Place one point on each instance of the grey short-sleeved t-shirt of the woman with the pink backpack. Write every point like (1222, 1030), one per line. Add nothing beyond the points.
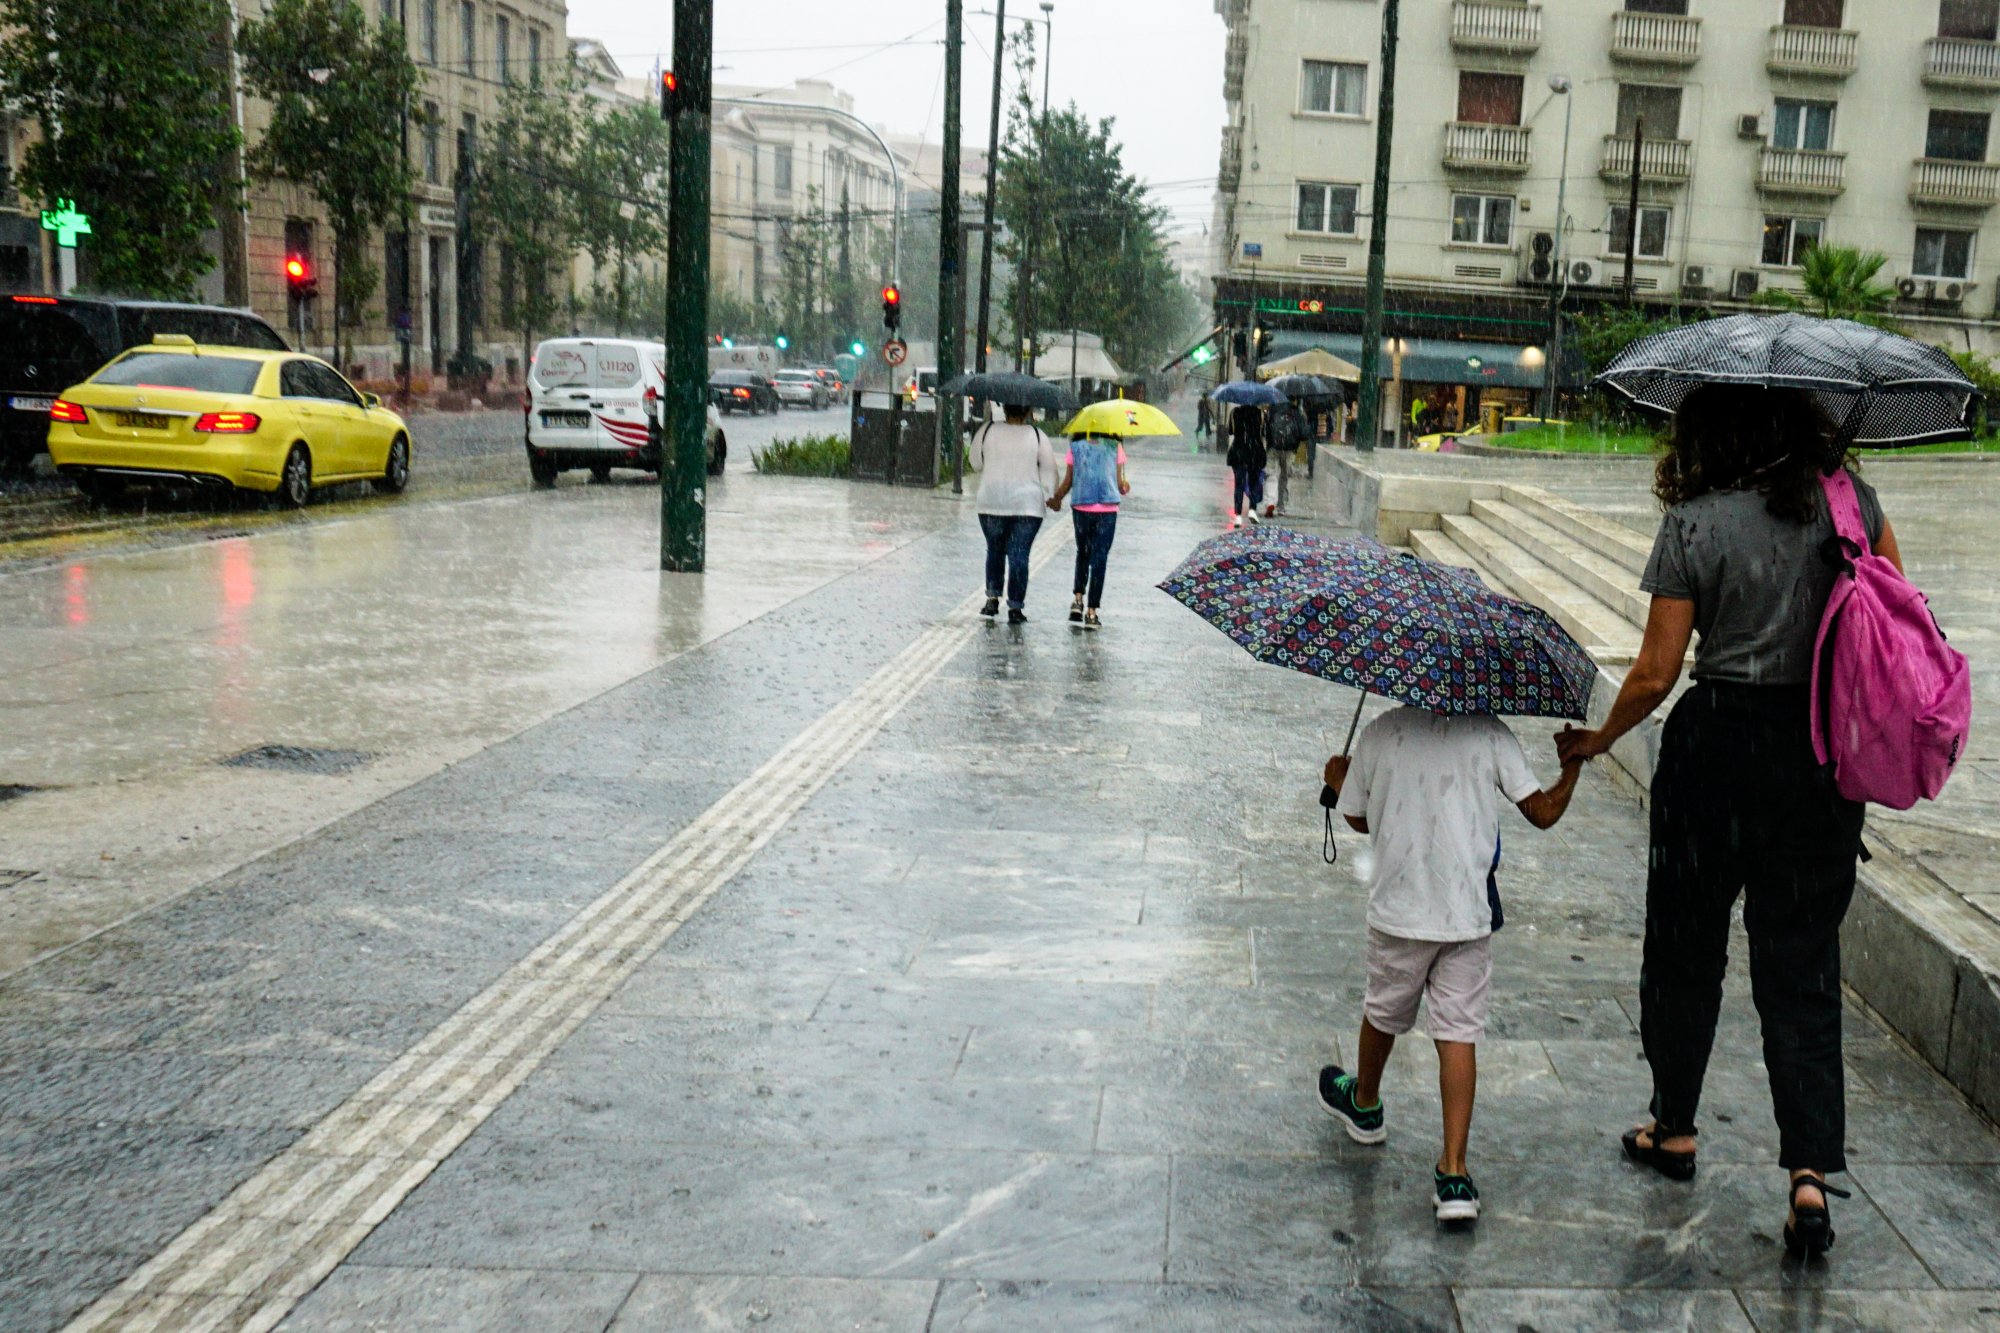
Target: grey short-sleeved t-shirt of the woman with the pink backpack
(1759, 583)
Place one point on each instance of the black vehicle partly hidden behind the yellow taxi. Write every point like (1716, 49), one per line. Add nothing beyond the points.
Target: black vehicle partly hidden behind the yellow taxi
(49, 343)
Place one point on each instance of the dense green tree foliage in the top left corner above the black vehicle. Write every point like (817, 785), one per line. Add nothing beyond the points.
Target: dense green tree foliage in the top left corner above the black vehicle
(133, 99)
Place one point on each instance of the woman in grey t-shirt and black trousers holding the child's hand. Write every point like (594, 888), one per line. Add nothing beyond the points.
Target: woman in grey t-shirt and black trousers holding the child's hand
(1739, 800)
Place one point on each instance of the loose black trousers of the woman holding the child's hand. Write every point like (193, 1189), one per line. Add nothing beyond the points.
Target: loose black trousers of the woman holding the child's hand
(1739, 806)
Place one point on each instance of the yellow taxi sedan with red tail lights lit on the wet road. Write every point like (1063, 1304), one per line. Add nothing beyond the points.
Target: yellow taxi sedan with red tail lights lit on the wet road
(179, 413)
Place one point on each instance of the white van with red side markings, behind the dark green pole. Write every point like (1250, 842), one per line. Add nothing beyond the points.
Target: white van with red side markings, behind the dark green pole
(595, 403)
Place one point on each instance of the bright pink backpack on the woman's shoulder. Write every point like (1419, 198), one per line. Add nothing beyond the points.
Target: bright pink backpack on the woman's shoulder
(1891, 700)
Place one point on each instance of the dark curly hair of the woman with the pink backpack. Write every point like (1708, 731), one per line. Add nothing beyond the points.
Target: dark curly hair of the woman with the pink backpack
(1741, 437)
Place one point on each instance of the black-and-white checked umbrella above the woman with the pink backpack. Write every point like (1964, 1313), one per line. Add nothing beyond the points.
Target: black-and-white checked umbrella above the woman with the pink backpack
(1877, 387)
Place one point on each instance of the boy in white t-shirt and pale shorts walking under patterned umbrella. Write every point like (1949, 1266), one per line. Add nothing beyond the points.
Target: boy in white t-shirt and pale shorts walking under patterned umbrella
(1425, 790)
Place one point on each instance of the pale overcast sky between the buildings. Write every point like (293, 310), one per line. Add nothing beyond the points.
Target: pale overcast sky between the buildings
(1155, 65)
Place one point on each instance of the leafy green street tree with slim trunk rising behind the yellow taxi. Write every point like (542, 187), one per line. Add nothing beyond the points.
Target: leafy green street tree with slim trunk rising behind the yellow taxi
(339, 93)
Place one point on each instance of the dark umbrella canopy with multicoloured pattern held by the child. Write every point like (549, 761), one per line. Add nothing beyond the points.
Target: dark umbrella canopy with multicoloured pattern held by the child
(1427, 635)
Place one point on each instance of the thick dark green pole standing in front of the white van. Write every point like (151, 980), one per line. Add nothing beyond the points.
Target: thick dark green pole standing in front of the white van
(685, 447)
